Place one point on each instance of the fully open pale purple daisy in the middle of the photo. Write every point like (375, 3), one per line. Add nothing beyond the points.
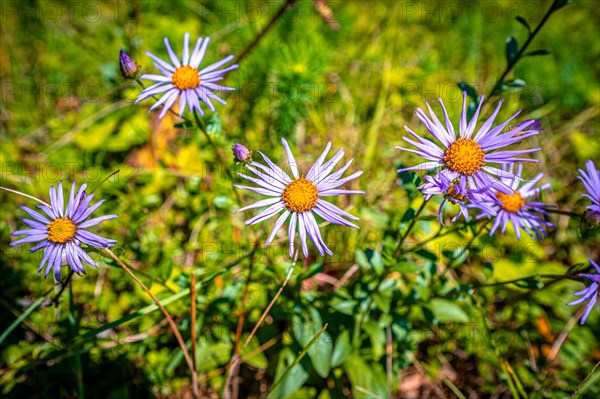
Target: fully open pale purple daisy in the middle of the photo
(300, 197)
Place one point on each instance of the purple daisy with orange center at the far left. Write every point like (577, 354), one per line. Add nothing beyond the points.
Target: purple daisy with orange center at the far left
(61, 231)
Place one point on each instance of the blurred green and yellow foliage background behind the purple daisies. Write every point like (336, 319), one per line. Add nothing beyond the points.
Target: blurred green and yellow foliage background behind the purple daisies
(352, 73)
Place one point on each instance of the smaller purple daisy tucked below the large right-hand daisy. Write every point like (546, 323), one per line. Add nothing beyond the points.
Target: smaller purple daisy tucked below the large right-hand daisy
(529, 216)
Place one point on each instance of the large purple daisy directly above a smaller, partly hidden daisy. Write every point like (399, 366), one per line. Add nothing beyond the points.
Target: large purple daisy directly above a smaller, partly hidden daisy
(468, 156)
